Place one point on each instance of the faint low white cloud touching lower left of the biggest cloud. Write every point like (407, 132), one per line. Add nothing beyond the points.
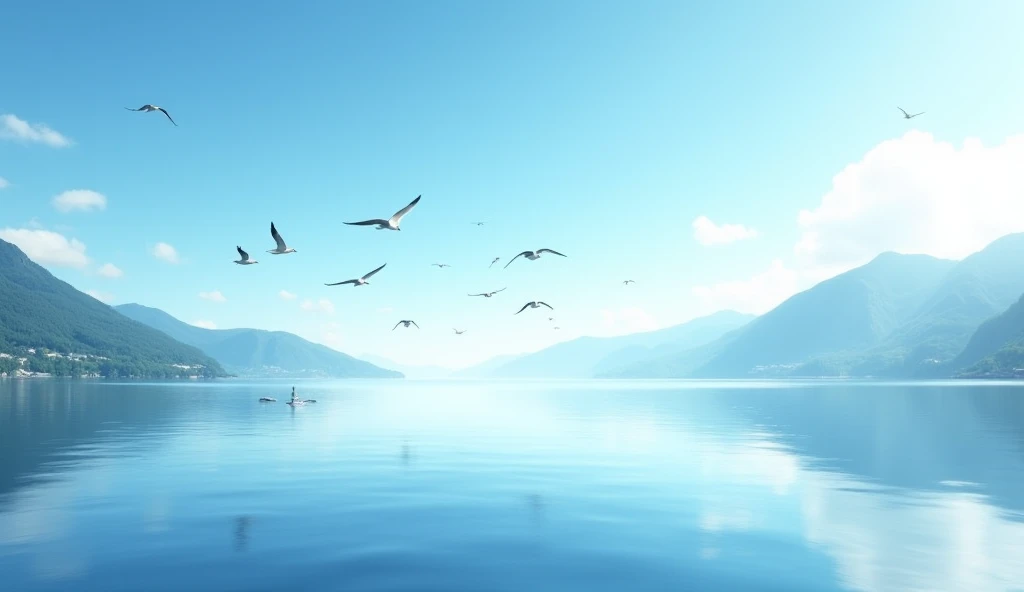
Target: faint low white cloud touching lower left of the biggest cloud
(759, 294)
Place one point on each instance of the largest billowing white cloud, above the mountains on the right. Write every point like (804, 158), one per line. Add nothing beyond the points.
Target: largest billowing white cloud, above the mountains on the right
(917, 195)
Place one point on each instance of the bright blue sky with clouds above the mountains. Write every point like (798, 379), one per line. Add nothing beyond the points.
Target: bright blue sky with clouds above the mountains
(601, 130)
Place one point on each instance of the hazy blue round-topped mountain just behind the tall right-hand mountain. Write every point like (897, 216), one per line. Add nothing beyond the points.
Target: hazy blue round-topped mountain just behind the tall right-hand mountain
(847, 314)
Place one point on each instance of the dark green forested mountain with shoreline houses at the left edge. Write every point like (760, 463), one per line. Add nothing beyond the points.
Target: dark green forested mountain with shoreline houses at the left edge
(63, 331)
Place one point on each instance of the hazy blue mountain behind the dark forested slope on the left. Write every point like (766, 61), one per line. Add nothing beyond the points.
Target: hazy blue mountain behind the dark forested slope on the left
(258, 353)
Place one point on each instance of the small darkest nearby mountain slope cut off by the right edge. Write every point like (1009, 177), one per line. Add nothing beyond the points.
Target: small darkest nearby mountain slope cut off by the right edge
(997, 349)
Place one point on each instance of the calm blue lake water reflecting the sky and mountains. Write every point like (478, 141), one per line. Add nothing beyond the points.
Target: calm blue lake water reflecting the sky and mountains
(587, 486)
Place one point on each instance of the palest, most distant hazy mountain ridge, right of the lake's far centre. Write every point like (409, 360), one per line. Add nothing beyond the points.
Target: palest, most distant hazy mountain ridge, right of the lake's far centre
(589, 357)
